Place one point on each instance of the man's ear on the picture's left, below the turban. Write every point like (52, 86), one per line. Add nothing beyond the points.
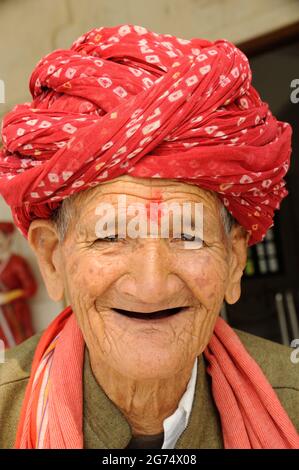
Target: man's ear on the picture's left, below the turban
(43, 239)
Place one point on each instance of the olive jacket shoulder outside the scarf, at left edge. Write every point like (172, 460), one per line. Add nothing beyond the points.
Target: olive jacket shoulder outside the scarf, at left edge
(14, 375)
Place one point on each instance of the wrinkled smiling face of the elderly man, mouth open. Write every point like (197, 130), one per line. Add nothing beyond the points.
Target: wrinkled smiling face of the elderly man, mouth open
(145, 275)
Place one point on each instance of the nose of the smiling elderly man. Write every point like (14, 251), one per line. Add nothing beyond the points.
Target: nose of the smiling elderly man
(150, 278)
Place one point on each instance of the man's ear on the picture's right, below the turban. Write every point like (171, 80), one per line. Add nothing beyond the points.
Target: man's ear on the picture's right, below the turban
(237, 263)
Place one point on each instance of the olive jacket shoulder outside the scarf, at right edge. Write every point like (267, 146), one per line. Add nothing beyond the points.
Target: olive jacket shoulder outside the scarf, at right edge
(282, 371)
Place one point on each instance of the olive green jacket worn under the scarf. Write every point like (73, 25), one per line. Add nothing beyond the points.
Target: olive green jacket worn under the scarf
(105, 427)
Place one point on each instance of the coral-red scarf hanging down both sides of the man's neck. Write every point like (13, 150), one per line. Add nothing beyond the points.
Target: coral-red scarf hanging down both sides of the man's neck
(52, 413)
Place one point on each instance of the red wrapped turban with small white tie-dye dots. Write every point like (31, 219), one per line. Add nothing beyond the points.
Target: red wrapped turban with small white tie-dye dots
(128, 100)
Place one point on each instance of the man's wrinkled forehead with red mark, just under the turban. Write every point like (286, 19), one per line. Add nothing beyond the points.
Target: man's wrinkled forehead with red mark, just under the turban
(202, 205)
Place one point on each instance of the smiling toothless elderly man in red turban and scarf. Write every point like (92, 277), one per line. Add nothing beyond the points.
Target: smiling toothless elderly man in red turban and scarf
(140, 357)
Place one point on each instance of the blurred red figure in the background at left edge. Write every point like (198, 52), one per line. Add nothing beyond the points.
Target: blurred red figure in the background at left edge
(17, 284)
